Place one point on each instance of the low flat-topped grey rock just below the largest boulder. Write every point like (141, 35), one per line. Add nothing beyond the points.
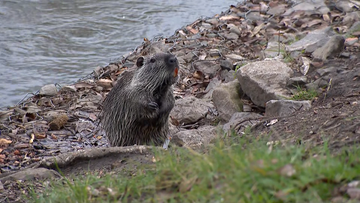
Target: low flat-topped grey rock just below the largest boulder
(285, 107)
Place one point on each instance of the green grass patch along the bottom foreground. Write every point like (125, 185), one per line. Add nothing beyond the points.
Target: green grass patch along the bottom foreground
(246, 170)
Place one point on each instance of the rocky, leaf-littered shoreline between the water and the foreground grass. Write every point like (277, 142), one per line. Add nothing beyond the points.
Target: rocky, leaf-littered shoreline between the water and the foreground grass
(237, 69)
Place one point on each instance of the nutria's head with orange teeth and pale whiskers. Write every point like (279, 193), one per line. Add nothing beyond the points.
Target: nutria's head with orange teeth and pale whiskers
(159, 70)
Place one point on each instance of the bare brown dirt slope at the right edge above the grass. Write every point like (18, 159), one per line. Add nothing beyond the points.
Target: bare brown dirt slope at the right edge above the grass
(334, 117)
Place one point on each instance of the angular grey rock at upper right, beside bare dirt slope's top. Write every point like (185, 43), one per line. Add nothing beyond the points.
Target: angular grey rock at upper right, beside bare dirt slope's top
(332, 48)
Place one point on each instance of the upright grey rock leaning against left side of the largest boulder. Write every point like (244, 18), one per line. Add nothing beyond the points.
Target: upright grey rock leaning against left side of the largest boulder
(227, 99)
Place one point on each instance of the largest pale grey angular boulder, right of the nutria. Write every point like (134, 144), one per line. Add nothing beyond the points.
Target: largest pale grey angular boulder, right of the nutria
(264, 80)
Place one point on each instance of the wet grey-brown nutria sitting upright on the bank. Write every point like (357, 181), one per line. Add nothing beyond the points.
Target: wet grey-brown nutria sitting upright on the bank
(136, 110)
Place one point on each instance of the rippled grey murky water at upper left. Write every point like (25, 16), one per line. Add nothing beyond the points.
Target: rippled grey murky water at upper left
(60, 41)
